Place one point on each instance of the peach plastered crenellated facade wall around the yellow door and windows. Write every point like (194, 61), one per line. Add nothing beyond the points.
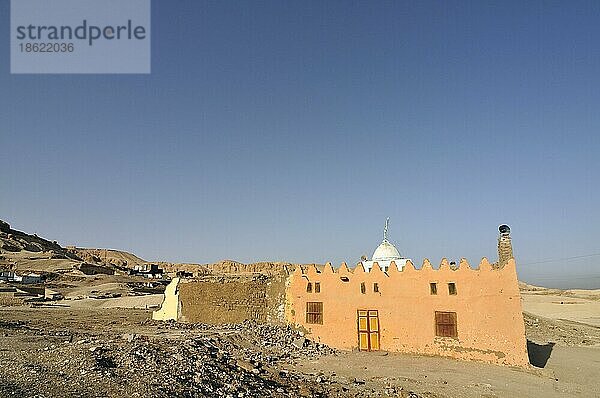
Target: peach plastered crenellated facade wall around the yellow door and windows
(487, 304)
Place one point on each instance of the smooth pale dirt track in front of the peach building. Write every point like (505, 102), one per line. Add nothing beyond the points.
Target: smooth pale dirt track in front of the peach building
(571, 371)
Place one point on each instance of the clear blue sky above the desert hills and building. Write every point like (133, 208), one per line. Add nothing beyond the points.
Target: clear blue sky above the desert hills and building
(290, 131)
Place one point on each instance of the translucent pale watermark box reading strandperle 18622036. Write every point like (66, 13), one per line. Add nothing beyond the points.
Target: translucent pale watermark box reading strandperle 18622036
(80, 36)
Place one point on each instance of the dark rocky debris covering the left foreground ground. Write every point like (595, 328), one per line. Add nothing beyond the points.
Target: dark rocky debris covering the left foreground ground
(235, 361)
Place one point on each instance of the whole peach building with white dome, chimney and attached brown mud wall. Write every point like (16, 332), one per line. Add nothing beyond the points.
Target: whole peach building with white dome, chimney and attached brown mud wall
(384, 303)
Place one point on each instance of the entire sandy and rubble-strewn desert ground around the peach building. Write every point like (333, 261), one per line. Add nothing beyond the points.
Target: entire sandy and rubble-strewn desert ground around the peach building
(107, 348)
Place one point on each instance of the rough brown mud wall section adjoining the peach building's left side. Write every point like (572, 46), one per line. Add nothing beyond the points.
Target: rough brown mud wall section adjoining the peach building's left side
(232, 299)
